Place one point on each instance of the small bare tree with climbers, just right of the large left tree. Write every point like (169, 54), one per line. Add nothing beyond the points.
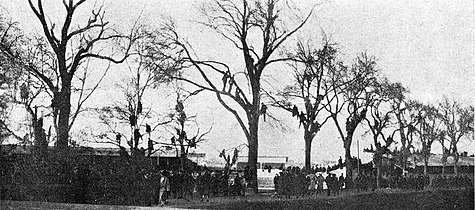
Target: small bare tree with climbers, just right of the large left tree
(134, 112)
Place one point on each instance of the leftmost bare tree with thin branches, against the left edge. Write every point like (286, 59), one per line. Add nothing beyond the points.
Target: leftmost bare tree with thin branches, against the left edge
(17, 86)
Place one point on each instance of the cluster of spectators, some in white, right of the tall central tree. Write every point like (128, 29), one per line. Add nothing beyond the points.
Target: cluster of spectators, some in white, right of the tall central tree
(296, 182)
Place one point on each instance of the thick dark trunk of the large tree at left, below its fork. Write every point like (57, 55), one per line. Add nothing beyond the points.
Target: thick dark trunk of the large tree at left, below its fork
(64, 106)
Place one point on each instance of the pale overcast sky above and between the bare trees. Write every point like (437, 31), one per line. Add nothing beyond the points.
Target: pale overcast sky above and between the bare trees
(425, 45)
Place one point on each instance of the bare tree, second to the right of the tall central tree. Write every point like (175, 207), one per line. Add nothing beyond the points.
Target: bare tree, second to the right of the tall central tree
(352, 87)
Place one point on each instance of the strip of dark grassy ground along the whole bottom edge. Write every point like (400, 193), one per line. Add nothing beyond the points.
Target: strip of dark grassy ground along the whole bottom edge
(380, 199)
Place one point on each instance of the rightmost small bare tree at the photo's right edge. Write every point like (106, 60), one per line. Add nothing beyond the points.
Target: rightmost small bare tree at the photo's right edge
(458, 122)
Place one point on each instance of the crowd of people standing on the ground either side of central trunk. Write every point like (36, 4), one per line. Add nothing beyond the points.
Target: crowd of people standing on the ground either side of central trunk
(292, 181)
